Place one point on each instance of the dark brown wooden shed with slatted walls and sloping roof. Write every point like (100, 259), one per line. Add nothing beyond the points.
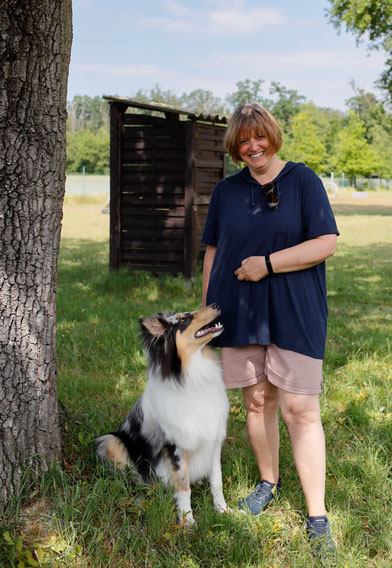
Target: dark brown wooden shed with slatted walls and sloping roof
(163, 168)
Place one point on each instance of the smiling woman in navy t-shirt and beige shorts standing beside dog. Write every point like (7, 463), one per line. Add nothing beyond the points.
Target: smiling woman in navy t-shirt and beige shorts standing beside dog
(268, 231)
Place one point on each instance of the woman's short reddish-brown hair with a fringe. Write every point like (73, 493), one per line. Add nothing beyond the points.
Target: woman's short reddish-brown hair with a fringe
(251, 117)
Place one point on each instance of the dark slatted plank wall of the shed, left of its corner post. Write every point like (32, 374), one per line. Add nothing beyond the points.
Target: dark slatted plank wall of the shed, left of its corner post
(152, 193)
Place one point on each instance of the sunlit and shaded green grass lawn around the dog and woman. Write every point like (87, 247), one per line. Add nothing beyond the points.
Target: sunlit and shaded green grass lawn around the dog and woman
(78, 516)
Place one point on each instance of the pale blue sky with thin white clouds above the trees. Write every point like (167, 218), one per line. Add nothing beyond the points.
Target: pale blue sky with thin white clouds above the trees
(121, 46)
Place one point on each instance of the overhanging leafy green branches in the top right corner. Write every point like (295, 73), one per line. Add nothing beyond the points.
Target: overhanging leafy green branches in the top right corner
(371, 19)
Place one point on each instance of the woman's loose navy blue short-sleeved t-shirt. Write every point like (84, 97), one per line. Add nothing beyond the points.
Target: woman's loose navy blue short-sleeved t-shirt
(289, 309)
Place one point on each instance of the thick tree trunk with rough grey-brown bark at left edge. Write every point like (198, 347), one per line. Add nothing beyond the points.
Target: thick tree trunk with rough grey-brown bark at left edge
(35, 45)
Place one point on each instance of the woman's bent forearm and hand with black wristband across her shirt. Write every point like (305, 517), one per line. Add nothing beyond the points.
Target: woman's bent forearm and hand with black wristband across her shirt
(295, 258)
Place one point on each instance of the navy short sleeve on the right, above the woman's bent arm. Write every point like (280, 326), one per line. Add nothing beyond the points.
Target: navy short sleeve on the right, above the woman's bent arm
(318, 218)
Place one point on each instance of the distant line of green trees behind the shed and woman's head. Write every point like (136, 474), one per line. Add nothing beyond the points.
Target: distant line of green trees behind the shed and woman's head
(323, 138)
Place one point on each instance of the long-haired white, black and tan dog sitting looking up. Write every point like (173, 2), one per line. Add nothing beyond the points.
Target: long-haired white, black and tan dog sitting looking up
(176, 428)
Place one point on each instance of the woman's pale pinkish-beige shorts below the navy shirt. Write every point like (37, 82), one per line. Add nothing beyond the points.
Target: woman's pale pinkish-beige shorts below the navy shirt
(290, 371)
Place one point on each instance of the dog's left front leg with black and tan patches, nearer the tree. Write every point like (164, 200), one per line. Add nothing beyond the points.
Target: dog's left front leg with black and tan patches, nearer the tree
(180, 479)
